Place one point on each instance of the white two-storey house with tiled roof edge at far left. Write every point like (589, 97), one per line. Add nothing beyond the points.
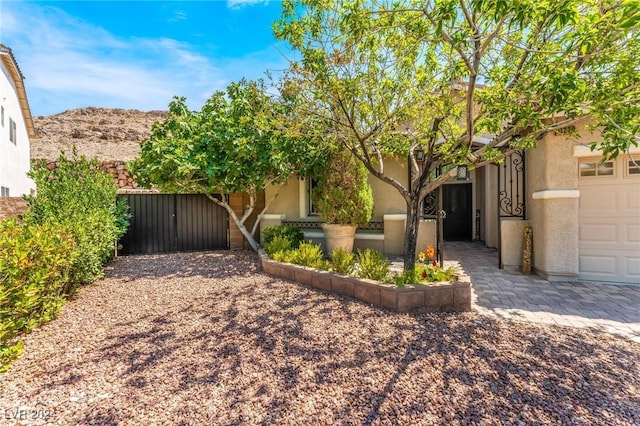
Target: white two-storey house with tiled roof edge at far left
(16, 127)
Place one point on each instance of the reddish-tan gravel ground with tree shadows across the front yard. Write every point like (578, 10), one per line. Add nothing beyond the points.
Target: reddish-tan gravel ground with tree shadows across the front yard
(205, 338)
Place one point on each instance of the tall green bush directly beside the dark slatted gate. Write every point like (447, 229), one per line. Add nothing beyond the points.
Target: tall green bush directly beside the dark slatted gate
(79, 196)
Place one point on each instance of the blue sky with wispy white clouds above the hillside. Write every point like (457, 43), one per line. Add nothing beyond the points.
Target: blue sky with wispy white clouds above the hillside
(124, 54)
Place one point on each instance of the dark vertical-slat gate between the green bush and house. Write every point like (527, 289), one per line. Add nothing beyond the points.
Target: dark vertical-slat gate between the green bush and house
(162, 223)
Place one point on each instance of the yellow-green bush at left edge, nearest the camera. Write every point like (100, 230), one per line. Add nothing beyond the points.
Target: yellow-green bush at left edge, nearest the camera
(35, 263)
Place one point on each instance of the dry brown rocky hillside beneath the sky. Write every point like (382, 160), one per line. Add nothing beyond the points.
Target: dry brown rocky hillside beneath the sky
(105, 133)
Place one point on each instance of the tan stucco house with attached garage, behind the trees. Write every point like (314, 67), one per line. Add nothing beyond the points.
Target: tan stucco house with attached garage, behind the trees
(585, 215)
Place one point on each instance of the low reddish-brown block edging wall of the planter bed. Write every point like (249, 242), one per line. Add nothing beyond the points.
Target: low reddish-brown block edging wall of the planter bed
(452, 296)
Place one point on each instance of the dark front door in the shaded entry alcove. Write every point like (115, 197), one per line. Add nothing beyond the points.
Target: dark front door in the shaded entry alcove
(457, 204)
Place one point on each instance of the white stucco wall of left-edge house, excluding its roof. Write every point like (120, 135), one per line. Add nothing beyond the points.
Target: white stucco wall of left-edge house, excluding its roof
(14, 159)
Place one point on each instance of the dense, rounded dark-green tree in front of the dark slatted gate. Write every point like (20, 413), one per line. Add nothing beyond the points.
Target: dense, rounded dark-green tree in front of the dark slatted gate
(235, 143)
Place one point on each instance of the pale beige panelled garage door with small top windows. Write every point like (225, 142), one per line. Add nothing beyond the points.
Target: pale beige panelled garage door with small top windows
(609, 220)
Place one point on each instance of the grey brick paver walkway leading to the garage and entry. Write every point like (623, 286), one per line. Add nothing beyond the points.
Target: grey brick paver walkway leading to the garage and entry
(613, 308)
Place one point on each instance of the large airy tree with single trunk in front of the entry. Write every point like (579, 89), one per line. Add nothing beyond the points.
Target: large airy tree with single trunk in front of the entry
(398, 78)
